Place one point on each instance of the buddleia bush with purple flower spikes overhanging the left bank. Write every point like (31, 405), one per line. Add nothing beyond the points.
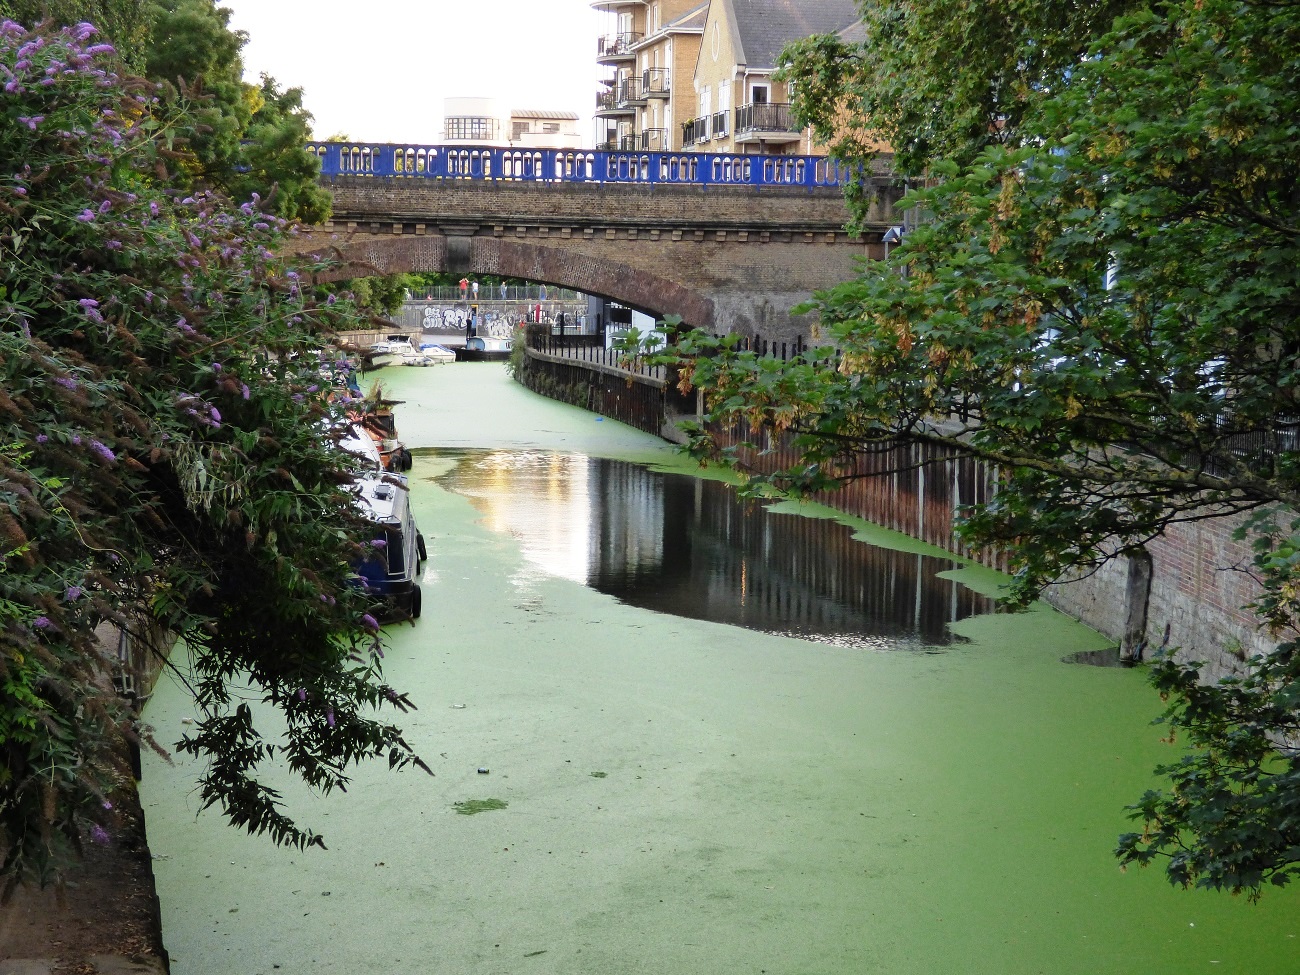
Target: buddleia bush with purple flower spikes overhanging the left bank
(168, 461)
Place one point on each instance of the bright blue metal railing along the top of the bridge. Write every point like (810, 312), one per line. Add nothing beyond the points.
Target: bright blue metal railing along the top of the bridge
(575, 166)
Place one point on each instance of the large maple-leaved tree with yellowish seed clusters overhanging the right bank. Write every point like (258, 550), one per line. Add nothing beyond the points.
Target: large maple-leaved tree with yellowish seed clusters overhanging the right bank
(1107, 310)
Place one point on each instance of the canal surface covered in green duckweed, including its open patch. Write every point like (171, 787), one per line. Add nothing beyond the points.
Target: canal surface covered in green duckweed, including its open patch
(716, 739)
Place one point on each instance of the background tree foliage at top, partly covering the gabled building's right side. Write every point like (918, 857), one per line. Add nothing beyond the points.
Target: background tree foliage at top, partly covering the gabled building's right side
(941, 79)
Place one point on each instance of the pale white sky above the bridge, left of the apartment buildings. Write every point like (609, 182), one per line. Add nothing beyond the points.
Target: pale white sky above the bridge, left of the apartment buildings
(380, 72)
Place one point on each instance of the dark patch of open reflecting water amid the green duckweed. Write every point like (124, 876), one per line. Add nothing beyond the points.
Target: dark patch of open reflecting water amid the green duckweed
(688, 547)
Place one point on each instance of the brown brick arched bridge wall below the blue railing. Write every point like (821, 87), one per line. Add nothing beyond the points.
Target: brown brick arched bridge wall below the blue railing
(729, 258)
